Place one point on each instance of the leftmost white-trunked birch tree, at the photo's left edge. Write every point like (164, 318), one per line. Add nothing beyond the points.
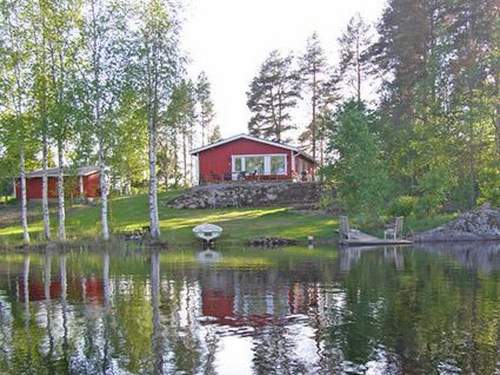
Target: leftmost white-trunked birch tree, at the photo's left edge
(15, 78)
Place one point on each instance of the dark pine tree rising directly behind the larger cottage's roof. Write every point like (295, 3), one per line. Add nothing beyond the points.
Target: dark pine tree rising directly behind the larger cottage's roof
(272, 96)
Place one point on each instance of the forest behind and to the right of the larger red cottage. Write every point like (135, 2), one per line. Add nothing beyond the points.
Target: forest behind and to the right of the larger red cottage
(407, 121)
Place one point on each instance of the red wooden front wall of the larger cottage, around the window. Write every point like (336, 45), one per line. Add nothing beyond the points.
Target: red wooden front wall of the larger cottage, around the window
(215, 162)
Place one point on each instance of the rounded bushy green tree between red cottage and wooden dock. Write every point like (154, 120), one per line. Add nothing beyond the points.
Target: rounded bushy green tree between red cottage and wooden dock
(359, 172)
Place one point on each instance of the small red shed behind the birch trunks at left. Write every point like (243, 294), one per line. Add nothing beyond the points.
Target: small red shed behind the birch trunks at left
(84, 182)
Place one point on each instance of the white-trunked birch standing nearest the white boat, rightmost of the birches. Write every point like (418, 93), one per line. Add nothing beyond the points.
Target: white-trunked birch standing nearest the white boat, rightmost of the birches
(157, 63)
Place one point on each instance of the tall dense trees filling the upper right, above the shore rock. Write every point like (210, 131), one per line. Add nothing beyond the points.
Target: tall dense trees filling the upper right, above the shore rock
(440, 63)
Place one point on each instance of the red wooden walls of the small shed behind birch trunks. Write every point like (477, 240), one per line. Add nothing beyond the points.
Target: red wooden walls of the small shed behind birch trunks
(34, 187)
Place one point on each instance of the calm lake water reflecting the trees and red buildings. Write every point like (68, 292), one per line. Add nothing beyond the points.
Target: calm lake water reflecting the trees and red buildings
(247, 311)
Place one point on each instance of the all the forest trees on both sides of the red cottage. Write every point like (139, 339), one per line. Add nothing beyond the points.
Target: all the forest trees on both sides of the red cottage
(405, 122)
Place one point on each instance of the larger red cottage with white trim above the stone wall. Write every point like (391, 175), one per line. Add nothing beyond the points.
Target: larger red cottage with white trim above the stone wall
(244, 157)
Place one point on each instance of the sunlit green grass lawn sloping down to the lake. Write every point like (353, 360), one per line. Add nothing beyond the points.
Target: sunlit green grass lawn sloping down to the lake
(239, 224)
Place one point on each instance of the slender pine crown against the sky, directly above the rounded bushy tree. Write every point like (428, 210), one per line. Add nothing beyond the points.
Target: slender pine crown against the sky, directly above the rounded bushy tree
(354, 45)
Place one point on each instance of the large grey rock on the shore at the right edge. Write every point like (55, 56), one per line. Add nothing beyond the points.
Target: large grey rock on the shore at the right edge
(478, 225)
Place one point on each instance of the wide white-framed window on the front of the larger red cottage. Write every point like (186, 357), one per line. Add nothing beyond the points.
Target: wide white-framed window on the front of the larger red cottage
(260, 164)
